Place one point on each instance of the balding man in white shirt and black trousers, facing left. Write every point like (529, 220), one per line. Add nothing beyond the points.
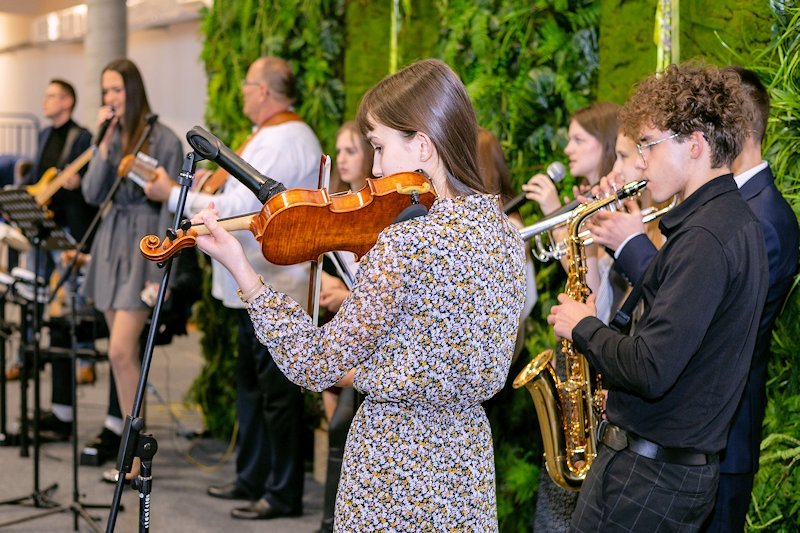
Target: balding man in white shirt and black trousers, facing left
(269, 465)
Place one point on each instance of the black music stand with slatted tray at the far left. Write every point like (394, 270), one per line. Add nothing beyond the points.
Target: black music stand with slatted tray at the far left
(44, 234)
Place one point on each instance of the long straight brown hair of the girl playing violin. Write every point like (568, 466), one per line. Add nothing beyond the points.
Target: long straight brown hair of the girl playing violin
(427, 96)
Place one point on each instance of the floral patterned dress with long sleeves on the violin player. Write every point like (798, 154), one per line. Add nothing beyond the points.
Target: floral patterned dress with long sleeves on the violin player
(430, 328)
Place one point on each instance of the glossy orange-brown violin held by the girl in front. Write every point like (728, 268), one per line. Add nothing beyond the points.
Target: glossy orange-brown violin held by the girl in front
(299, 225)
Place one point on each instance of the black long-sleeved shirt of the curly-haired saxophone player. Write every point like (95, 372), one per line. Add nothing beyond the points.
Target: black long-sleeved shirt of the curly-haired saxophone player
(678, 381)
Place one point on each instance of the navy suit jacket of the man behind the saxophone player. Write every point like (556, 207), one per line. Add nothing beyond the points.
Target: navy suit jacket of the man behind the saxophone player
(779, 225)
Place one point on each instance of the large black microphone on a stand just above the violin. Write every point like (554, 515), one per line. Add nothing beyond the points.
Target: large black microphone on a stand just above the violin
(211, 148)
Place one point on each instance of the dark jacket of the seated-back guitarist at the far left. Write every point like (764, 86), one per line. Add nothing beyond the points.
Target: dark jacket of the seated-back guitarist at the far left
(69, 208)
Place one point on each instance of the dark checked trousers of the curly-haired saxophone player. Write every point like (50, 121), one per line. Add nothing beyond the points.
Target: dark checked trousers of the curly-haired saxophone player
(624, 491)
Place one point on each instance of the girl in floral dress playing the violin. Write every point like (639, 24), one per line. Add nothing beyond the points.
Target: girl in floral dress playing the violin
(429, 326)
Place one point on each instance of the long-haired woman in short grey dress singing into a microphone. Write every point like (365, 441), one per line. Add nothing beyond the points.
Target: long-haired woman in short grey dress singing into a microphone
(117, 272)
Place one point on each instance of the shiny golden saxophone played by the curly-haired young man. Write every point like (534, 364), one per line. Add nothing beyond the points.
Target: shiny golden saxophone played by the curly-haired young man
(568, 410)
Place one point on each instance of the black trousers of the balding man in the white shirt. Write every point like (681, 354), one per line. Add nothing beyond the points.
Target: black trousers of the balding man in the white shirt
(269, 409)
